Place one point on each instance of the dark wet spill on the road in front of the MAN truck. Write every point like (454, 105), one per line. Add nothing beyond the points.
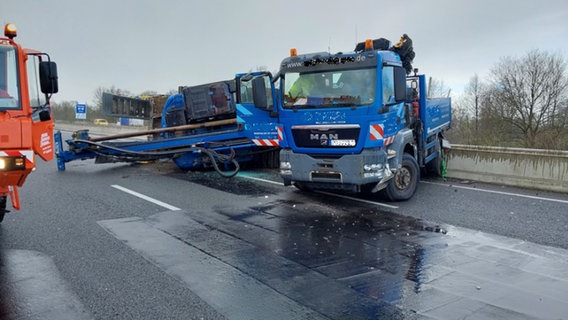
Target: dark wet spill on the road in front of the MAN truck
(374, 254)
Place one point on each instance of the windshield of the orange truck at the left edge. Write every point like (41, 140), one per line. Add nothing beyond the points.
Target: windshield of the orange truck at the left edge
(9, 89)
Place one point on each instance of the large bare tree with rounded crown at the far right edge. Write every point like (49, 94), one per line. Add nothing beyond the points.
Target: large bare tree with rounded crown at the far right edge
(530, 92)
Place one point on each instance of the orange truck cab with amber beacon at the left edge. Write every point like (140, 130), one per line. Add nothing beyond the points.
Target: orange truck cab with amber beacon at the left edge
(28, 78)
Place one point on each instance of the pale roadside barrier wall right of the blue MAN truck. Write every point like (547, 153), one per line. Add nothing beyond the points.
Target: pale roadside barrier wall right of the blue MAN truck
(530, 168)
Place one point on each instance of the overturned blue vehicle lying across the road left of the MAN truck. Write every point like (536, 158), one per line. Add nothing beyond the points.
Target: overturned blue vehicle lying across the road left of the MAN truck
(214, 125)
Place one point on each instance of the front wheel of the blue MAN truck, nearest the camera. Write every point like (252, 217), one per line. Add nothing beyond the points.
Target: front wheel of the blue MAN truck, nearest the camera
(403, 185)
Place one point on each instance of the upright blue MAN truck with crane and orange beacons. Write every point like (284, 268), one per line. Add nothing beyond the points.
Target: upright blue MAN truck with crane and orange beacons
(358, 121)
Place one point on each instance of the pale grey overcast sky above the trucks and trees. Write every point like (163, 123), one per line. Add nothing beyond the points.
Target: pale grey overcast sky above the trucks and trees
(158, 45)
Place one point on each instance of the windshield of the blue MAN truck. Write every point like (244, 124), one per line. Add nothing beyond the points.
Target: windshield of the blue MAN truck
(329, 88)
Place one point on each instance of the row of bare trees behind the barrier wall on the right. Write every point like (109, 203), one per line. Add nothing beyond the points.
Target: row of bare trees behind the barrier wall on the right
(523, 102)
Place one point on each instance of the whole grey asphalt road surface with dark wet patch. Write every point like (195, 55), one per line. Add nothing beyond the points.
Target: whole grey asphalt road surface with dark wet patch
(249, 248)
